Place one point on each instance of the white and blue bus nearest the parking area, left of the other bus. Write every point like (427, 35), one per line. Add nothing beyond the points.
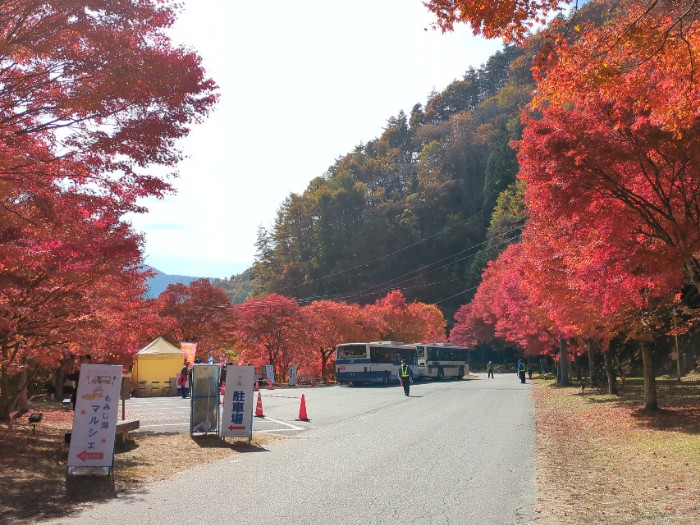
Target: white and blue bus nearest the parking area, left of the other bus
(376, 362)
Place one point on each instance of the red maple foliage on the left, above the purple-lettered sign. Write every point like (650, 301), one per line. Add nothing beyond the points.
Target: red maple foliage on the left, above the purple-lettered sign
(91, 97)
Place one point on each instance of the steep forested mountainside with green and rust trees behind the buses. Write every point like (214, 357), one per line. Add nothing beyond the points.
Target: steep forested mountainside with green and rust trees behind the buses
(411, 209)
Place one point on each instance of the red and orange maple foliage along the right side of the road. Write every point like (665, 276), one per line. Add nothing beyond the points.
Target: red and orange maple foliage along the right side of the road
(609, 155)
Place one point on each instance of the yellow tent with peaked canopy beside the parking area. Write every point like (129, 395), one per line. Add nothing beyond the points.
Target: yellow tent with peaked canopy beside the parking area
(154, 367)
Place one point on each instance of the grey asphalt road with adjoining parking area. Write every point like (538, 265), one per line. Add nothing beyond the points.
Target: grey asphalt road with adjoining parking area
(460, 452)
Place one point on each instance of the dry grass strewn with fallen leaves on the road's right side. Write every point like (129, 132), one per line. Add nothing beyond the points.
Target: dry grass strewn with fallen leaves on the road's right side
(603, 460)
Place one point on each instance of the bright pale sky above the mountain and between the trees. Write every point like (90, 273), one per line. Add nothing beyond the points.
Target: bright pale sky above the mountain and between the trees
(301, 84)
